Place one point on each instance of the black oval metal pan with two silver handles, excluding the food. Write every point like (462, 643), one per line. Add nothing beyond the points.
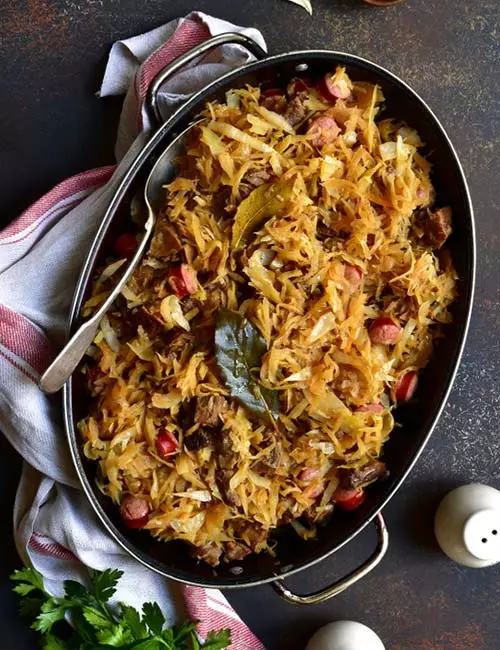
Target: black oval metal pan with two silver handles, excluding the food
(417, 418)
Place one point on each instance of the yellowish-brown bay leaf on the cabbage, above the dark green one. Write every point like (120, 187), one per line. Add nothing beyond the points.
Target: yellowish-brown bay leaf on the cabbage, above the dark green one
(261, 204)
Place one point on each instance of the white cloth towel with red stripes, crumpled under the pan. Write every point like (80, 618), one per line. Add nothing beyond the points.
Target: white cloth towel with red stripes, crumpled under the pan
(41, 254)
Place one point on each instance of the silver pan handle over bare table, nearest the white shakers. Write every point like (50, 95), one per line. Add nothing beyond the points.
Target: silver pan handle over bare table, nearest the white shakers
(344, 583)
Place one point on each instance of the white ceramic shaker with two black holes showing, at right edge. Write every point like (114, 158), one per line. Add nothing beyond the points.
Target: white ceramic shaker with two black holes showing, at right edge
(467, 525)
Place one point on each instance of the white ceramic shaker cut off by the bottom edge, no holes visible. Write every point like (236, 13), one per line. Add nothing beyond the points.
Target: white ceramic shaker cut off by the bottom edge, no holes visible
(345, 635)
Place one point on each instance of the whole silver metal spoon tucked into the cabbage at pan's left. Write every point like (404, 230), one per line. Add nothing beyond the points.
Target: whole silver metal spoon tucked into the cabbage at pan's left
(69, 357)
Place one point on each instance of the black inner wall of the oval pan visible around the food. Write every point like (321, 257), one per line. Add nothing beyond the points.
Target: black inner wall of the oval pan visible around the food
(416, 419)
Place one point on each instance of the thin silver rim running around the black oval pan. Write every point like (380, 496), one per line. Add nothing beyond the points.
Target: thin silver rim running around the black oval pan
(139, 161)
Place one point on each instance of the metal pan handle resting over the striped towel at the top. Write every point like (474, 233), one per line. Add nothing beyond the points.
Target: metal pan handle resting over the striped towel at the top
(193, 53)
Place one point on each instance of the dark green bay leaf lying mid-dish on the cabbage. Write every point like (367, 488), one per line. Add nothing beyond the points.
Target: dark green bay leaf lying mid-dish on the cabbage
(239, 347)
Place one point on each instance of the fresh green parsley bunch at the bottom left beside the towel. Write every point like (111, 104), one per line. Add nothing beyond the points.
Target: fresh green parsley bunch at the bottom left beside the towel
(95, 625)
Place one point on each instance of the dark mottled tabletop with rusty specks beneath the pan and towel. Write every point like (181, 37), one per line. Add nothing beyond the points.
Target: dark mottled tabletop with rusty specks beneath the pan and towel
(51, 126)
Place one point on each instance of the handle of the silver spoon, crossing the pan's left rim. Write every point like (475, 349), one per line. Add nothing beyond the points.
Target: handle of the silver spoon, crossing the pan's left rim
(68, 358)
